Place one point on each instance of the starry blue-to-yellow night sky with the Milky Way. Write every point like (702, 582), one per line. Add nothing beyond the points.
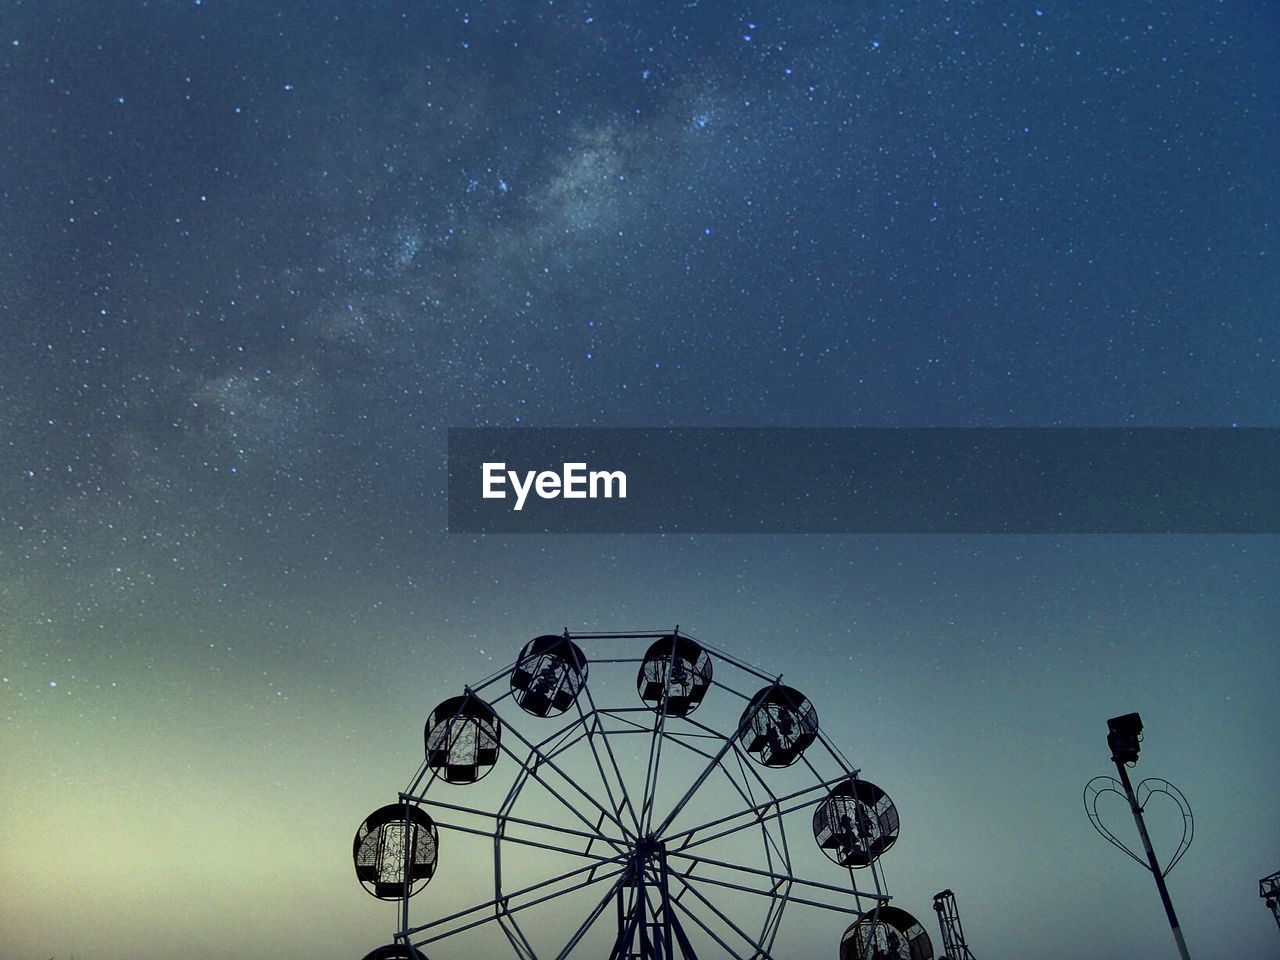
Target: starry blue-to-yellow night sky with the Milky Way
(258, 258)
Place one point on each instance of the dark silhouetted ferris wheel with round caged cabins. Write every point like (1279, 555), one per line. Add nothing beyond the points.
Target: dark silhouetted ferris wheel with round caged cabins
(660, 803)
